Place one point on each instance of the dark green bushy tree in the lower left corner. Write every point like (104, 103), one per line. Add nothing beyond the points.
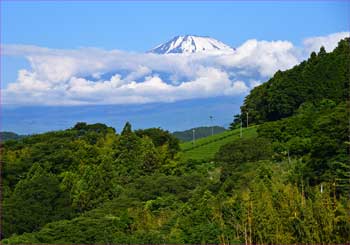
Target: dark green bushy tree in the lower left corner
(36, 200)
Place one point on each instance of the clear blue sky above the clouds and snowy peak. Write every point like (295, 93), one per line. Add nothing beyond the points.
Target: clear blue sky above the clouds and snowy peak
(138, 26)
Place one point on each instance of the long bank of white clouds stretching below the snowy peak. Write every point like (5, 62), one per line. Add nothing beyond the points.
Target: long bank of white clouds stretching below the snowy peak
(72, 77)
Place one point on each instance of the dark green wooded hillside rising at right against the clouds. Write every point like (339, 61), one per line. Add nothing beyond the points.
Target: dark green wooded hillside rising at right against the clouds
(322, 76)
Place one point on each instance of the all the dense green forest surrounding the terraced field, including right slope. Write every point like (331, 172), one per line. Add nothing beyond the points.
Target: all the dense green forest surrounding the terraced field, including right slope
(289, 184)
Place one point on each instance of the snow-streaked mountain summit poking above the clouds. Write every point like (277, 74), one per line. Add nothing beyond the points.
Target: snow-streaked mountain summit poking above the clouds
(191, 44)
